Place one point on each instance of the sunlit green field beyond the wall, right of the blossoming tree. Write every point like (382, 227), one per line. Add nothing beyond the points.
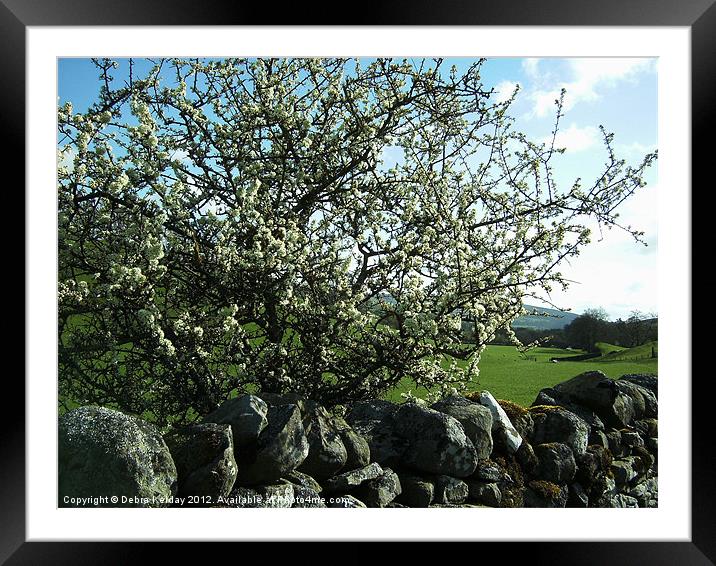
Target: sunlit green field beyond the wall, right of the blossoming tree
(508, 375)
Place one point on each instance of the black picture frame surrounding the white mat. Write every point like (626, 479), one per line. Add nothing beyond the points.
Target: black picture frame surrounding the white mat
(698, 15)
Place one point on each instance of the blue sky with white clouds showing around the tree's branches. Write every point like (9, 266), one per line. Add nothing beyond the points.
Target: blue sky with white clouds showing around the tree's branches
(613, 272)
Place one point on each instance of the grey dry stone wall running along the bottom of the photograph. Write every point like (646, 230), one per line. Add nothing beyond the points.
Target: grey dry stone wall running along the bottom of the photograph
(587, 442)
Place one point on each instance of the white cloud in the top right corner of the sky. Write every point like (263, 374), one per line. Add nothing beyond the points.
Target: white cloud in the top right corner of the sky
(588, 78)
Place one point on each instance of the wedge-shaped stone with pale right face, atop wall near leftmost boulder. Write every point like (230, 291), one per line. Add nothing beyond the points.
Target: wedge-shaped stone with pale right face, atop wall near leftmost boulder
(247, 417)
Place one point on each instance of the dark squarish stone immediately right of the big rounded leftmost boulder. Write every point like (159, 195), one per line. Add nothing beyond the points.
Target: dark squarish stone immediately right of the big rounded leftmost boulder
(204, 458)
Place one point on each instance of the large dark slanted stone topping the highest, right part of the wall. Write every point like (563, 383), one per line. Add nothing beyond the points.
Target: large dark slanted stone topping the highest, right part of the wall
(597, 392)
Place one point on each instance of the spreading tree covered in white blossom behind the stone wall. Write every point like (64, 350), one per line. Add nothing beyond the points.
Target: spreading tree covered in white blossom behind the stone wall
(230, 225)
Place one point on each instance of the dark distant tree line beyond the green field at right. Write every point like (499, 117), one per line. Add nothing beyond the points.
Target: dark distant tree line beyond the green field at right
(591, 327)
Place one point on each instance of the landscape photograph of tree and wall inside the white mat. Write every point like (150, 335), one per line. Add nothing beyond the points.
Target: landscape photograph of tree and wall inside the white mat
(360, 282)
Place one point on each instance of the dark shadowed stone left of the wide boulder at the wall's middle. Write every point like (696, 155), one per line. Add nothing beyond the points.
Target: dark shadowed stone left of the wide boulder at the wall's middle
(374, 420)
